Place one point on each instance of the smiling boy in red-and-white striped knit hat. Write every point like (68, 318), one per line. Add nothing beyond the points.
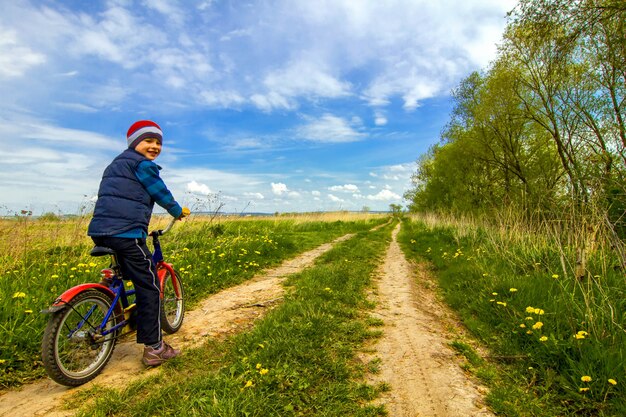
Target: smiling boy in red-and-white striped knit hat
(129, 188)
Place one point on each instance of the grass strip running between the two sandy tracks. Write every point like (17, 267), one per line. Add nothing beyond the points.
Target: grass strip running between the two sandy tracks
(298, 360)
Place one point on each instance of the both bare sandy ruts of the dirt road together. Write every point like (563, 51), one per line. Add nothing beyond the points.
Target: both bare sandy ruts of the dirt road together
(424, 376)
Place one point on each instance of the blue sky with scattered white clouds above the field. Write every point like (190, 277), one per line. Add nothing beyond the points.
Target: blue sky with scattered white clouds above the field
(274, 105)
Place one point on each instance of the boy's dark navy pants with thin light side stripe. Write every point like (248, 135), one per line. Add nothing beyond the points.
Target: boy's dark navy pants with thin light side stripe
(136, 264)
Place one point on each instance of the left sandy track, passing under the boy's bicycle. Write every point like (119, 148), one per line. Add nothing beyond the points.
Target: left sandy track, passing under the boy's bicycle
(223, 313)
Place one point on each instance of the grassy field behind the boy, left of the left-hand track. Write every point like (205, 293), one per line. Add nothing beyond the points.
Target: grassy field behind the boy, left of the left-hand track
(42, 258)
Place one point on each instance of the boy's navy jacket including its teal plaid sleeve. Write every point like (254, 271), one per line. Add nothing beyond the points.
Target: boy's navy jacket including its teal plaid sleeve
(129, 188)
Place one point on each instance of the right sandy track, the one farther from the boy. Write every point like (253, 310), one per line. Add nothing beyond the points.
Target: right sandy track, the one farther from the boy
(417, 363)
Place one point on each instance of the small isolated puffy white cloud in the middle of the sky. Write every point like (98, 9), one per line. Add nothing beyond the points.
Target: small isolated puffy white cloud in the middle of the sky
(329, 129)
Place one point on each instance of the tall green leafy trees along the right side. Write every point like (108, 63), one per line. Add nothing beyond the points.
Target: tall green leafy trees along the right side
(543, 129)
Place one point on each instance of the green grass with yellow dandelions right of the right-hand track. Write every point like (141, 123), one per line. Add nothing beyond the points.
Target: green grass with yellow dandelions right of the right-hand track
(514, 298)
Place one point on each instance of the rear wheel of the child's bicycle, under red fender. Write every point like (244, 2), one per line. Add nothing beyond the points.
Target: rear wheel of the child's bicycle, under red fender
(73, 348)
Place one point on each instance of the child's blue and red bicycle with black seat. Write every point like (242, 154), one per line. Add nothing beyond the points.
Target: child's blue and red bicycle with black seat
(87, 320)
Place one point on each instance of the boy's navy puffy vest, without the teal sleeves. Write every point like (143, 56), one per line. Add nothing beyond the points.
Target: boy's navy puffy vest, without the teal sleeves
(123, 203)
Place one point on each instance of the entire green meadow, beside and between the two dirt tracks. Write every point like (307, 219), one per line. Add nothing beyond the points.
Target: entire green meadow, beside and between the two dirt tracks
(544, 341)
